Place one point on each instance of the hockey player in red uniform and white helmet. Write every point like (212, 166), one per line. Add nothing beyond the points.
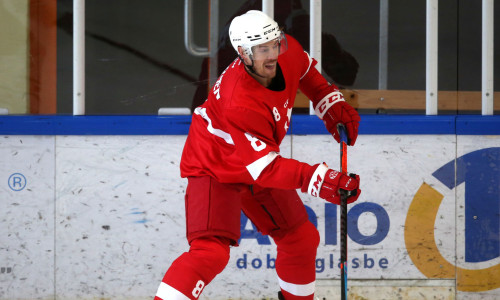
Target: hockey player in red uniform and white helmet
(232, 162)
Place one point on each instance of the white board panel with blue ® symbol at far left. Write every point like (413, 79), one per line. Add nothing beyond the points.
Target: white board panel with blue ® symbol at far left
(27, 216)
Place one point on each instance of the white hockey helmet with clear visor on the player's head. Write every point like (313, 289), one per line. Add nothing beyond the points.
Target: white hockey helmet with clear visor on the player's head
(254, 28)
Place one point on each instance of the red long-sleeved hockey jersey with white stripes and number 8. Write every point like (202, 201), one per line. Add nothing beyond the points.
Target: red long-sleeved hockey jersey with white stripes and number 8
(235, 135)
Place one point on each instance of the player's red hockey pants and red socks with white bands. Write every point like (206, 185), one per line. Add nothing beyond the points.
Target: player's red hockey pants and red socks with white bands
(213, 224)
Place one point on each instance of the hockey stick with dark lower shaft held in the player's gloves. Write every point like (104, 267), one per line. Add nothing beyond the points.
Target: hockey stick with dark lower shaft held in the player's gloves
(343, 213)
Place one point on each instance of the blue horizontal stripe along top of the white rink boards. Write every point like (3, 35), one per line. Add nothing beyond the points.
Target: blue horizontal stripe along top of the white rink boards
(301, 124)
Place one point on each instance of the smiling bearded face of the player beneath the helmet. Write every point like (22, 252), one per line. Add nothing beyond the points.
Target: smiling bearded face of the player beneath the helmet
(265, 57)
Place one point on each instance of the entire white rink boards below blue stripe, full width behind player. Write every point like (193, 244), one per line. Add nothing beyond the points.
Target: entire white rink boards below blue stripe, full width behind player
(103, 217)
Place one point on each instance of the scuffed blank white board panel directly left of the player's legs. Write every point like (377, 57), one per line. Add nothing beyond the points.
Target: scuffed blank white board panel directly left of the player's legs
(121, 210)
